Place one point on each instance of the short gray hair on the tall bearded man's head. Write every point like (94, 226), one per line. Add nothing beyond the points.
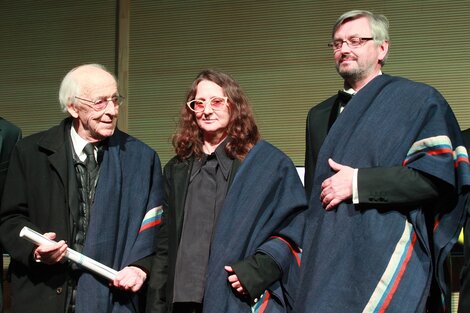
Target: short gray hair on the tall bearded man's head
(378, 24)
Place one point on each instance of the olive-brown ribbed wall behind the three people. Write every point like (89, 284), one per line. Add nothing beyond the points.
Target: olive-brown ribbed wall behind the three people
(276, 49)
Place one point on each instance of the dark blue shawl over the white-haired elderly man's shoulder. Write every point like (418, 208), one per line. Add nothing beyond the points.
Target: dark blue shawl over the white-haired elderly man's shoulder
(130, 184)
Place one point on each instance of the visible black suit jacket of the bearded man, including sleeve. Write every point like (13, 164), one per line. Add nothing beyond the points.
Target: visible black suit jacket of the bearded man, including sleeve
(376, 186)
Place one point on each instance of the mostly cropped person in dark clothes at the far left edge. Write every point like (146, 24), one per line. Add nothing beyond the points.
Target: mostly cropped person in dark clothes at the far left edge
(9, 136)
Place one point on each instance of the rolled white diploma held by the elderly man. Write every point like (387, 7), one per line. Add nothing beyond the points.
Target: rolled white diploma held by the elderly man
(72, 255)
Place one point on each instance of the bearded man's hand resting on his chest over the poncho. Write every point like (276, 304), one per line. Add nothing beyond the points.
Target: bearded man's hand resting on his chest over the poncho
(338, 187)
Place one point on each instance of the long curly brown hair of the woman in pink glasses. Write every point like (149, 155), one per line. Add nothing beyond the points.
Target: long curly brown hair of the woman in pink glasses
(242, 129)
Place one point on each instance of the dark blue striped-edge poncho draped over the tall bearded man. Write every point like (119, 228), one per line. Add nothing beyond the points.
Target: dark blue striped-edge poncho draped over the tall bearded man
(348, 249)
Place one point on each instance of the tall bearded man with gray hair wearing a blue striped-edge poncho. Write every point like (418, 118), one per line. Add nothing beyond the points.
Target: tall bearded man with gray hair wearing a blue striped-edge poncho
(387, 172)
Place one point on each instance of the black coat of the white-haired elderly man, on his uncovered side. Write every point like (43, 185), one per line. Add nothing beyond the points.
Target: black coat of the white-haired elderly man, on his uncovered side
(36, 195)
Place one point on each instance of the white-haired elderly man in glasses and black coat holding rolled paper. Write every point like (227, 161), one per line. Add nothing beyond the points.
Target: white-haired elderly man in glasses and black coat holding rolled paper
(90, 187)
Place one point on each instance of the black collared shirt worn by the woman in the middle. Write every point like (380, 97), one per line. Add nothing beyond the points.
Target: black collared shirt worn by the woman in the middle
(206, 194)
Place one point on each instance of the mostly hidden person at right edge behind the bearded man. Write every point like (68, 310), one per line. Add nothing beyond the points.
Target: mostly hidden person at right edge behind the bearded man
(464, 297)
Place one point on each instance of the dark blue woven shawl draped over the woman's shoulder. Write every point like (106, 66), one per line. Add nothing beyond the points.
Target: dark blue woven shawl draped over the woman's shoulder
(266, 198)
